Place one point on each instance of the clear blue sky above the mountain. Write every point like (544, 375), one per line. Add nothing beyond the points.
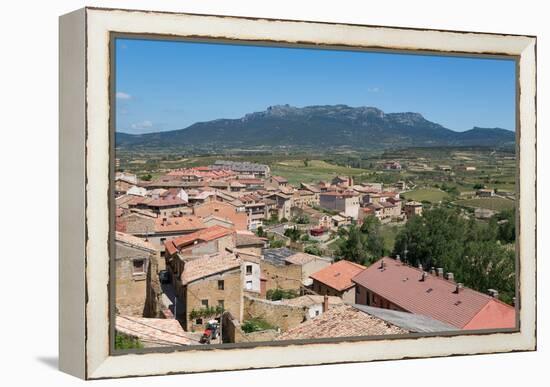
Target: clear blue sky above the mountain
(167, 85)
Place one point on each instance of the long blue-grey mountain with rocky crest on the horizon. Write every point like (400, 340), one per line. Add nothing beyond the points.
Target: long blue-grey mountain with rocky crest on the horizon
(319, 127)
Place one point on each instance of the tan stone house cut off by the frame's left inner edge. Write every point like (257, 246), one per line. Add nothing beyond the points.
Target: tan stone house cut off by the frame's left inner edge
(133, 256)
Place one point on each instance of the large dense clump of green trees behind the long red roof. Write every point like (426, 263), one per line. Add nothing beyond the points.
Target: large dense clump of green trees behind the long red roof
(479, 254)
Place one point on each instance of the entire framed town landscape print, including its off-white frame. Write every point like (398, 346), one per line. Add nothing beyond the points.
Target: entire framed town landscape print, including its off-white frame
(242, 193)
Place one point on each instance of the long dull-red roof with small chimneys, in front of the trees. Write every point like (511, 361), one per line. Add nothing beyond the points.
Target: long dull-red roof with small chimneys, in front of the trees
(435, 297)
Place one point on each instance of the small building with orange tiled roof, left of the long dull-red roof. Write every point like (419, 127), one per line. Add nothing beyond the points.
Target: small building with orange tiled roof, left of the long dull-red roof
(335, 280)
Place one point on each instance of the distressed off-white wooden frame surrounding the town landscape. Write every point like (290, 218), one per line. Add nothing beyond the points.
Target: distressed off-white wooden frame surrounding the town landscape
(86, 168)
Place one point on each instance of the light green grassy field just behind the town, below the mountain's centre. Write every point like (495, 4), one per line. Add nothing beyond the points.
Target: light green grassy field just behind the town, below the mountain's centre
(296, 172)
